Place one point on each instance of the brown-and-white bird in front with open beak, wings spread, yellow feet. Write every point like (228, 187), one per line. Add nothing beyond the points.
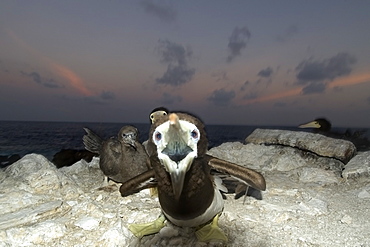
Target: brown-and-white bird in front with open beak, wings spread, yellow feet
(188, 194)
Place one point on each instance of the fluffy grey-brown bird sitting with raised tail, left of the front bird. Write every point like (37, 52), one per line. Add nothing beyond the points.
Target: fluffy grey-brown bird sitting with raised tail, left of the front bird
(122, 157)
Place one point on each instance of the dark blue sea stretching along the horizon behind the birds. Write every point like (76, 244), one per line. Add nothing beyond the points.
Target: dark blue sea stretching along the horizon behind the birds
(48, 138)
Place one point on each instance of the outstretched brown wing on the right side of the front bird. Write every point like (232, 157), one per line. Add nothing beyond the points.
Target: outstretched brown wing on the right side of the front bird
(246, 175)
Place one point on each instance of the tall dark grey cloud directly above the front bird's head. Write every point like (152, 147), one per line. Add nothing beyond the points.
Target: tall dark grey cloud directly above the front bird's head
(176, 57)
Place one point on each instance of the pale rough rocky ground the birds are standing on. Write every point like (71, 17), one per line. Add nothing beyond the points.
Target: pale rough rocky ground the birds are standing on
(306, 203)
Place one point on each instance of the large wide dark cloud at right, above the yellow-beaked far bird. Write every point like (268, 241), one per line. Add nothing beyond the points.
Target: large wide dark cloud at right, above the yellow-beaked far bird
(314, 75)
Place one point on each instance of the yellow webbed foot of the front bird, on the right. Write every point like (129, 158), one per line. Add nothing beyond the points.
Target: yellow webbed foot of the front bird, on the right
(211, 231)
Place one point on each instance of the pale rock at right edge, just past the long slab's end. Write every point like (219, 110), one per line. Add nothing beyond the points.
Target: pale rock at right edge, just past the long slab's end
(358, 166)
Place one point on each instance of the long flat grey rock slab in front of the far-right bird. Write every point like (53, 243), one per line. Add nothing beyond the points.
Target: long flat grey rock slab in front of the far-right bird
(321, 145)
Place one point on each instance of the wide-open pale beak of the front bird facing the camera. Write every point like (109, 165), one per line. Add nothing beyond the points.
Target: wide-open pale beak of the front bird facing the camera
(178, 154)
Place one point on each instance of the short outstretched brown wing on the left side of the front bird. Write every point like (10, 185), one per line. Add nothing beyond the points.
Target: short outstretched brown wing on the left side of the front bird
(143, 181)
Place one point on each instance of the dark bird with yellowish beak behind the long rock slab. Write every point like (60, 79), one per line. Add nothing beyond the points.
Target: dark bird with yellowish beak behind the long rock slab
(323, 126)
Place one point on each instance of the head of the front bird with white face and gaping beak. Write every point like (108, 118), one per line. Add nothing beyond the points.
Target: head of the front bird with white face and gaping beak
(178, 139)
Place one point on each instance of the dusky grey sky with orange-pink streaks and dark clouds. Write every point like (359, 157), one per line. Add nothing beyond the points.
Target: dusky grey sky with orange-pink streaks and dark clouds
(228, 62)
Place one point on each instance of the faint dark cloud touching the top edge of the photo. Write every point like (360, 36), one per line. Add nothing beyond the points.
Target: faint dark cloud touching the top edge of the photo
(163, 12)
